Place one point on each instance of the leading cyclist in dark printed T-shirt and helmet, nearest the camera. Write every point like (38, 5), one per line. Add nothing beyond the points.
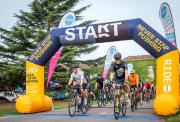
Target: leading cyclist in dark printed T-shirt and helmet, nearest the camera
(119, 73)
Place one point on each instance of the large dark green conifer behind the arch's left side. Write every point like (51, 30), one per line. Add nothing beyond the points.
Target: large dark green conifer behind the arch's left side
(32, 27)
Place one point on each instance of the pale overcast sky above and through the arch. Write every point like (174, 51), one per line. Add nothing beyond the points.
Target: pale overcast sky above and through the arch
(107, 11)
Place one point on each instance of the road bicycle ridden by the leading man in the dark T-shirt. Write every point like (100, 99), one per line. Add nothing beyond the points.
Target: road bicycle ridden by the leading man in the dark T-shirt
(119, 100)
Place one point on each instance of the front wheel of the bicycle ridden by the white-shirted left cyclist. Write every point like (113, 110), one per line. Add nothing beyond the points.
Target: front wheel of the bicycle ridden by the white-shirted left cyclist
(72, 106)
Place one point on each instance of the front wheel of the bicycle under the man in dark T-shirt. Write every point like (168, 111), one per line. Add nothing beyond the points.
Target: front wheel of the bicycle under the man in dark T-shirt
(116, 107)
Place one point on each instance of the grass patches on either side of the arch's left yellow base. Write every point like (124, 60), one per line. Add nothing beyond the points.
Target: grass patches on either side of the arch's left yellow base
(9, 108)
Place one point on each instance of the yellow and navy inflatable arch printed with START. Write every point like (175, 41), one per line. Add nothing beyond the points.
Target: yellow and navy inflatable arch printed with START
(167, 83)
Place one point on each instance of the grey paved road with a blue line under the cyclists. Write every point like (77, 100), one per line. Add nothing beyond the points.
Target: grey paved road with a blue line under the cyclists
(143, 114)
